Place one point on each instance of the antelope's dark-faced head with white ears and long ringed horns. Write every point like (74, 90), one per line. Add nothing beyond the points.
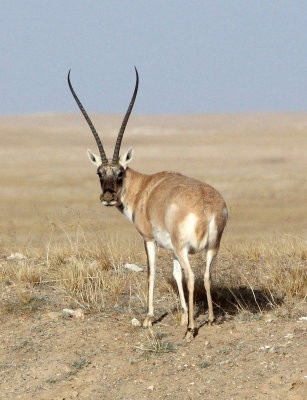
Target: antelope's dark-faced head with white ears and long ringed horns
(111, 172)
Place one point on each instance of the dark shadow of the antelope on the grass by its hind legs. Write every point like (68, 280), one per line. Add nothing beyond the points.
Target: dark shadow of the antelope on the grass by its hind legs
(229, 301)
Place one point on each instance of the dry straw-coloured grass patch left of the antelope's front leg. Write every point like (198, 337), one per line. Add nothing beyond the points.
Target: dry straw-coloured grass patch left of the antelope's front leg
(87, 273)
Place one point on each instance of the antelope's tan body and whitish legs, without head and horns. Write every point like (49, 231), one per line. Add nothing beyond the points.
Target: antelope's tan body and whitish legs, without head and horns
(181, 214)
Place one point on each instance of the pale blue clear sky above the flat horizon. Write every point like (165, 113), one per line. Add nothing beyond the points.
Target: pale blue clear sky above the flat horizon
(192, 56)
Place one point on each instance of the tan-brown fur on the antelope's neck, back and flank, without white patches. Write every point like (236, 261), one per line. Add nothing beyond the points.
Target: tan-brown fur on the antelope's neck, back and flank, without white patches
(151, 196)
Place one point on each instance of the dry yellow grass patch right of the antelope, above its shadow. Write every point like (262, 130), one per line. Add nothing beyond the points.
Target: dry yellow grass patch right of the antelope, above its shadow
(277, 265)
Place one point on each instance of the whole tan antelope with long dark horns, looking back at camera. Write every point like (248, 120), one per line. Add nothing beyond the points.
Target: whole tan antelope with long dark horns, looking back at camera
(168, 209)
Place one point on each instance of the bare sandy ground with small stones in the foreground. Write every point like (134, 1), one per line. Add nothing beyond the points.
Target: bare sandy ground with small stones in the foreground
(48, 357)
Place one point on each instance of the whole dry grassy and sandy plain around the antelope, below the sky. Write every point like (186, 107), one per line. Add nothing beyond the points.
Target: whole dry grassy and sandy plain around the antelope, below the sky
(74, 251)
